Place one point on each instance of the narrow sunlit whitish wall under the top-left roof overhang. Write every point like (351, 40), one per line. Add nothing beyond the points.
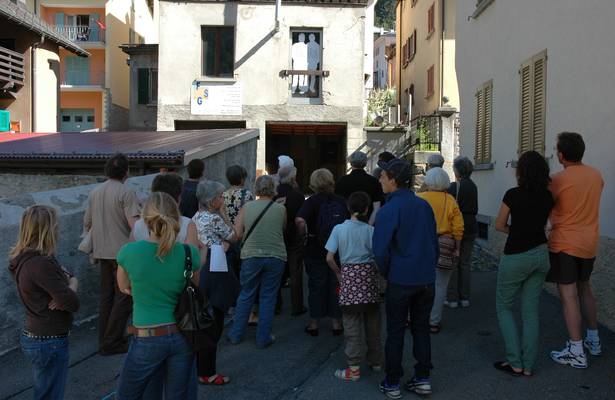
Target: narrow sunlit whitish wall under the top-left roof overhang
(47, 89)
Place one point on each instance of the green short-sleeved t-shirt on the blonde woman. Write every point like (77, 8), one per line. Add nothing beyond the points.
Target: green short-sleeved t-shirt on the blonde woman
(156, 284)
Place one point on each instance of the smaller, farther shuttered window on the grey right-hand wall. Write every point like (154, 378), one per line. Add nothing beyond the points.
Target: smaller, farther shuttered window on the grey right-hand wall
(484, 114)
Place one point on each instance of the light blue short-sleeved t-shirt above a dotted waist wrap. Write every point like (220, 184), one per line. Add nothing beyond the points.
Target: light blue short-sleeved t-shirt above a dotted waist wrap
(352, 240)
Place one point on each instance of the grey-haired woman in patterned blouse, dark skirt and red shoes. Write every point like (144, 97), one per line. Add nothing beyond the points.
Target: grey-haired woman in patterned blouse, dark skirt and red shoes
(219, 287)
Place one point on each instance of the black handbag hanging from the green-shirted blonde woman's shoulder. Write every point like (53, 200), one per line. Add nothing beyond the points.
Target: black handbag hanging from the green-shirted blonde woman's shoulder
(194, 321)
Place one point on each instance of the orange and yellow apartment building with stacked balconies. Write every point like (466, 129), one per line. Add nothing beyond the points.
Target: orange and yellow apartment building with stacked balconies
(94, 91)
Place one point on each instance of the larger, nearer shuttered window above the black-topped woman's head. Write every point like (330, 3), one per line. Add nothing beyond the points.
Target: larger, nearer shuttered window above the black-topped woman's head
(532, 103)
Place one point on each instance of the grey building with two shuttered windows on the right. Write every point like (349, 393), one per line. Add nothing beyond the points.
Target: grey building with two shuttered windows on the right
(528, 70)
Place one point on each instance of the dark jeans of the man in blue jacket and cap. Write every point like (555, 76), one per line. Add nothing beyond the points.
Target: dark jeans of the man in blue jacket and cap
(417, 300)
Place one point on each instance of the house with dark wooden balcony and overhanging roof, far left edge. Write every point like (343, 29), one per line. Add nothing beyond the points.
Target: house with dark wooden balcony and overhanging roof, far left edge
(30, 52)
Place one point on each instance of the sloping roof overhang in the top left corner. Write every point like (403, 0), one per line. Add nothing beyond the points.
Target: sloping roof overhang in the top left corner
(22, 16)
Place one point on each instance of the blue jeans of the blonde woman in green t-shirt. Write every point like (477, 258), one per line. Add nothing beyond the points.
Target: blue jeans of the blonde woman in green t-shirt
(147, 355)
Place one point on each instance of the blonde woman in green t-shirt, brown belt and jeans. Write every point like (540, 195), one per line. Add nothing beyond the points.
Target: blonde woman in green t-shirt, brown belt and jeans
(152, 272)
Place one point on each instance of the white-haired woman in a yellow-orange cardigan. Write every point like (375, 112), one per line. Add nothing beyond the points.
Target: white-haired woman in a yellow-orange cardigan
(449, 225)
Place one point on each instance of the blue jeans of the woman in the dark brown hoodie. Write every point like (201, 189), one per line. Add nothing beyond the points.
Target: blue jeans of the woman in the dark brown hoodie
(49, 358)
